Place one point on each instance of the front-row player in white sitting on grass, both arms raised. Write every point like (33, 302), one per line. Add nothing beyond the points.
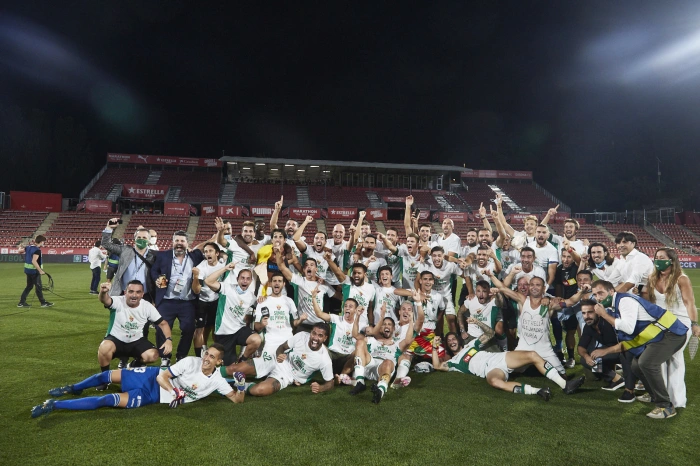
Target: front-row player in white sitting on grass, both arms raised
(376, 354)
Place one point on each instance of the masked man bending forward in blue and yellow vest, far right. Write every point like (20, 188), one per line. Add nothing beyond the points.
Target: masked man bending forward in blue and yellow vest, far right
(652, 334)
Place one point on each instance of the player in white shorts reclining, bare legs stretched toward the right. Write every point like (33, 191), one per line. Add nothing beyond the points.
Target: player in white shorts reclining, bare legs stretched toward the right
(495, 367)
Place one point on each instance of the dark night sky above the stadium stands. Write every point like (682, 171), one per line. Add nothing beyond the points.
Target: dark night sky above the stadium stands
(585, 94)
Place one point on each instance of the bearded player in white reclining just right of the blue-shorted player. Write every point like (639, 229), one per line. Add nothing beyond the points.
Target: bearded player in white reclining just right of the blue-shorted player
(296, 362)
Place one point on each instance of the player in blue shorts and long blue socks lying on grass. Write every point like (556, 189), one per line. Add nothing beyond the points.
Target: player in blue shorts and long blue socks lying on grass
(190, 379)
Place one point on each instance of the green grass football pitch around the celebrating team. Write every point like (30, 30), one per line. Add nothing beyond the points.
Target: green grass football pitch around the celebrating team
(442, 418)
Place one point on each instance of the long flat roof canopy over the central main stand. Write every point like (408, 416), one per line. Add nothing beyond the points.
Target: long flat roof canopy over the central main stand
(263, 167)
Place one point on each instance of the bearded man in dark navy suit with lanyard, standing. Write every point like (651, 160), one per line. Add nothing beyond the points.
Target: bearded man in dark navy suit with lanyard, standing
(172, 273)
